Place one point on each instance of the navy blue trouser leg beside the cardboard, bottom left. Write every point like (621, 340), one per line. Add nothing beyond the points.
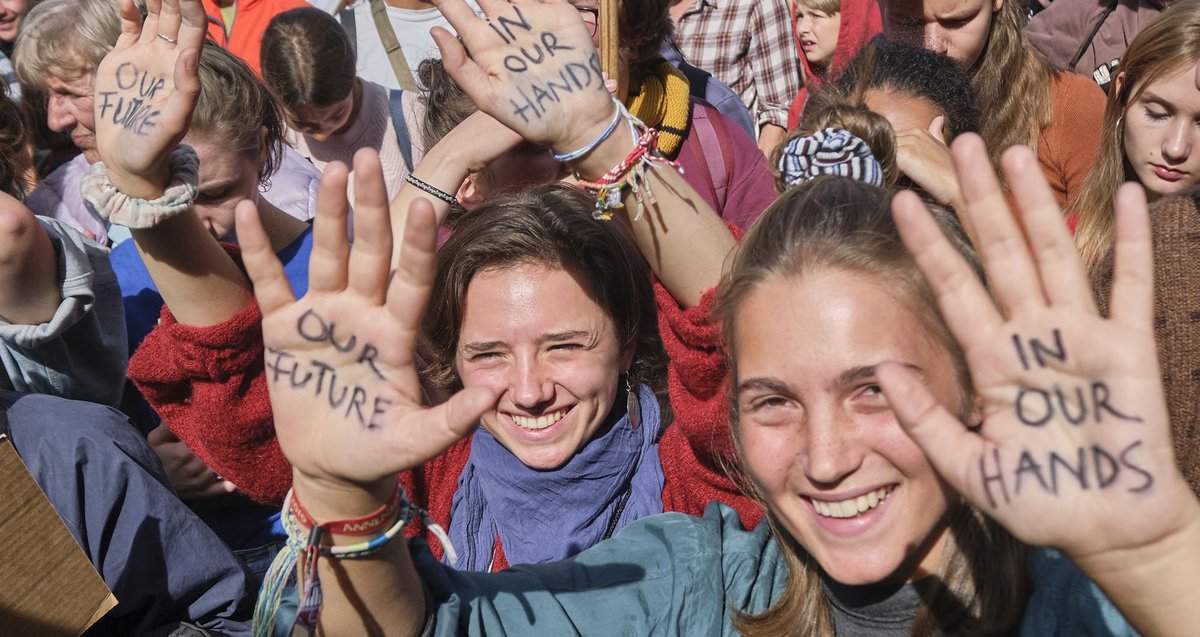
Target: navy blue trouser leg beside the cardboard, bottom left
(171, 575)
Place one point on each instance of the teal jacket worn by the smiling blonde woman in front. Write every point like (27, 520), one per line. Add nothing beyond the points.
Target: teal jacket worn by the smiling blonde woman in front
(681, 575)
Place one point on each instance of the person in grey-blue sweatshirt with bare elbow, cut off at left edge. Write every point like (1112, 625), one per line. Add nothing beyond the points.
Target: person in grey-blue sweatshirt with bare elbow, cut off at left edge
(62, 327)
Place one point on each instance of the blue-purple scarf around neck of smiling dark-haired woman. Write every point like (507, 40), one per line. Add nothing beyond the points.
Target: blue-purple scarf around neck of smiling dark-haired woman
(547, 516)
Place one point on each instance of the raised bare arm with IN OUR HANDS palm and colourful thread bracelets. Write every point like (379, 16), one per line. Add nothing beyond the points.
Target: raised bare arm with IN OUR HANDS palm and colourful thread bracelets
(685, 241)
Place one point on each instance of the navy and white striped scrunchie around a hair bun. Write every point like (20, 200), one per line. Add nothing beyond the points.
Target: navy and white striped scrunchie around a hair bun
(830, 152)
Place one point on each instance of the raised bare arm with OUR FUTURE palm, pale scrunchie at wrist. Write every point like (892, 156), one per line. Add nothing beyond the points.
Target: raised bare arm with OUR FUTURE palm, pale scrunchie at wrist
(154, 74)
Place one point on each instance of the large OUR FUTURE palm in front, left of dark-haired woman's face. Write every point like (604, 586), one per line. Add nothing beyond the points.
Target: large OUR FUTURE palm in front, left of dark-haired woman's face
(341, 370)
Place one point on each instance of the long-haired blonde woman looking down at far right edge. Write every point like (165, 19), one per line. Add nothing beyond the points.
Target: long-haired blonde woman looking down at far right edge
(1150, 133)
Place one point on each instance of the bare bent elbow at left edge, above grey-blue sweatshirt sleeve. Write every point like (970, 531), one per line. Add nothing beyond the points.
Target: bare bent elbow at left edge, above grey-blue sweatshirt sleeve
(31, 290)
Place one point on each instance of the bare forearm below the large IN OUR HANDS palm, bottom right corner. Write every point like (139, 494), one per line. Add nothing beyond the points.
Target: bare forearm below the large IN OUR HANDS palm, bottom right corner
(1155, 587)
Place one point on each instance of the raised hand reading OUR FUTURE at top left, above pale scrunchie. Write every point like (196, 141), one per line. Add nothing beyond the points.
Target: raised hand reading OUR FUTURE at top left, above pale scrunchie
(146, 91)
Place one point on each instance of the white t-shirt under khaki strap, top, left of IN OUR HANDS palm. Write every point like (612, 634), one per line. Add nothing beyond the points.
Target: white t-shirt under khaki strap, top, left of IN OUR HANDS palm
(412, 28)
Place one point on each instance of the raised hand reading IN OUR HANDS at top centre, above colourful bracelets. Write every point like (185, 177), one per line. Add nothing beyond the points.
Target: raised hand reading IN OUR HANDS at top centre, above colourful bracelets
(532, 67)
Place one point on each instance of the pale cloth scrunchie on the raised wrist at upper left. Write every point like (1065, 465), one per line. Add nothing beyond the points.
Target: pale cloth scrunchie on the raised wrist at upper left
(124, 211)
